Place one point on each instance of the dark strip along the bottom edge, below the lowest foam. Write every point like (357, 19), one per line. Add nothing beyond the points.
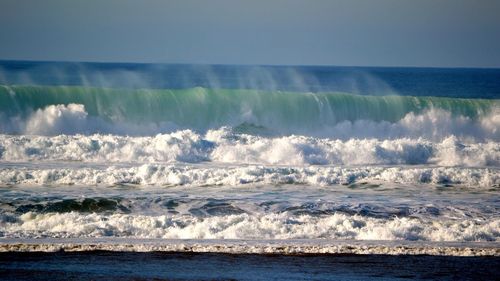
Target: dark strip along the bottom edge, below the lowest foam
(206, 266)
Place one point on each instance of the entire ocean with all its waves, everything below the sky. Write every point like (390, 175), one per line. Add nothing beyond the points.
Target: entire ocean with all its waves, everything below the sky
(248, 162)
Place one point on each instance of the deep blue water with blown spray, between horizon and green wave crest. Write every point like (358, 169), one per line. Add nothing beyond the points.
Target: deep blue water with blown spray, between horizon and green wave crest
(437, 82)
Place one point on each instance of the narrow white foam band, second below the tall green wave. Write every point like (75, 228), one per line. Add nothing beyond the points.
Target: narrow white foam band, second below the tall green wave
(172, 175)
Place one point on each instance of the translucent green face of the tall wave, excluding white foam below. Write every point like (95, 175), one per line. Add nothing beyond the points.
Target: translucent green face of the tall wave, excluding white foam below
(201, 108)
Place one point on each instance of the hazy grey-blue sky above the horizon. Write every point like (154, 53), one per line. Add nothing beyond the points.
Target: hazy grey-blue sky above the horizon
(436, 33)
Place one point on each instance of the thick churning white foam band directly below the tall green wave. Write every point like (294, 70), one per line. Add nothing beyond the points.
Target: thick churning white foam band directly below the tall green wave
(225, 147)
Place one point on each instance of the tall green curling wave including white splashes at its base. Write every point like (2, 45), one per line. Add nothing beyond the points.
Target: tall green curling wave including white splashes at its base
(72, 110)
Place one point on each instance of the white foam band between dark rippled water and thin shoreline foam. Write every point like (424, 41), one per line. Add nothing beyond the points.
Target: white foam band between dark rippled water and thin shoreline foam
(249, 226)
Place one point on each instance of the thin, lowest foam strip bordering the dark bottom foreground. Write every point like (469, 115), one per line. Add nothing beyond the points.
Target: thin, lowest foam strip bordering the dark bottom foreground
(259, 247)
